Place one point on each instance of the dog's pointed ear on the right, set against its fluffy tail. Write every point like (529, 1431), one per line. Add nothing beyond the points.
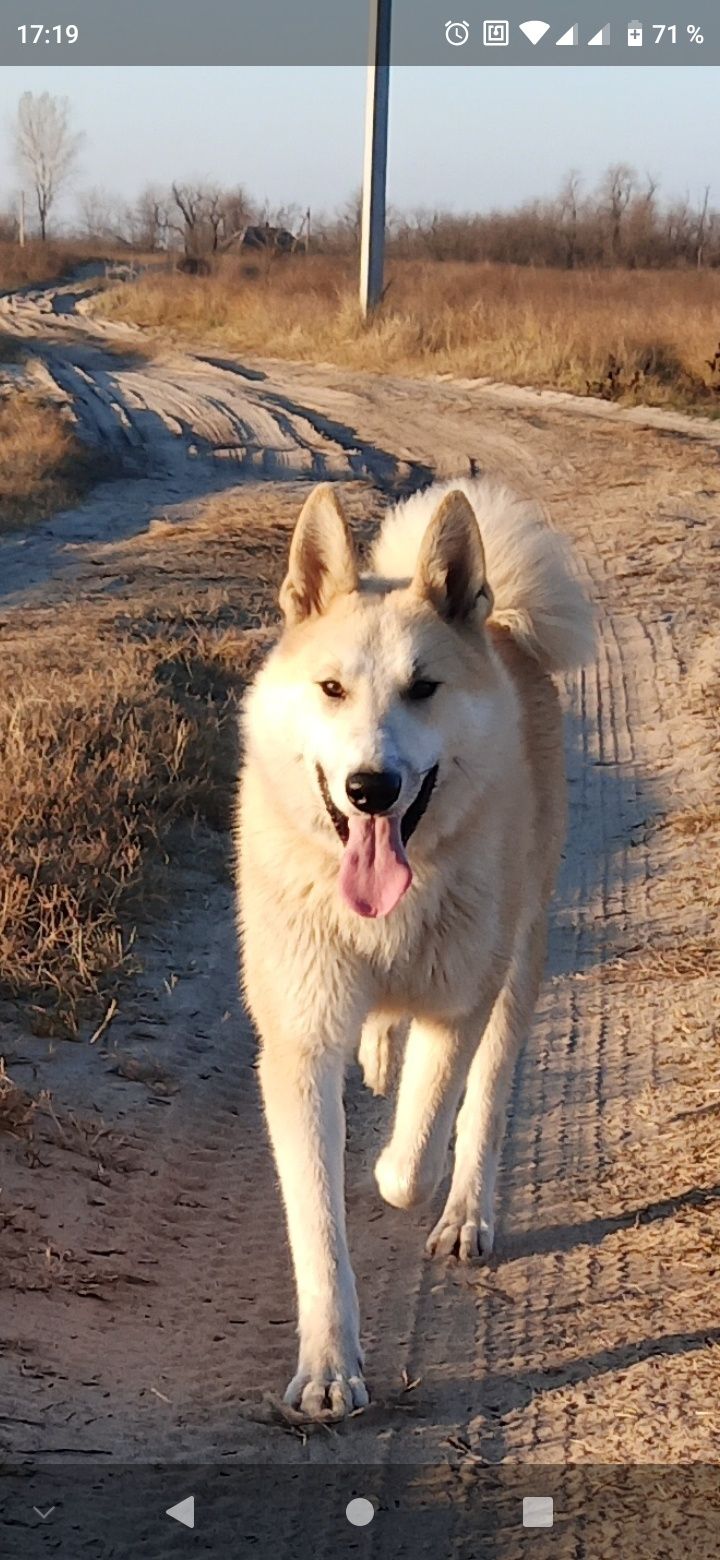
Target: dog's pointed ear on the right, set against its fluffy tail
(451, 564)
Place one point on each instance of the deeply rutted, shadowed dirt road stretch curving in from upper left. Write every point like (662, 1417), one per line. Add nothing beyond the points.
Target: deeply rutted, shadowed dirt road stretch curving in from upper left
(161, 414)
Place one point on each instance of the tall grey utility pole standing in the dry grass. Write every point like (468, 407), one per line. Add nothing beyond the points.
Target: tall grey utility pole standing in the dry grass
(376, 157)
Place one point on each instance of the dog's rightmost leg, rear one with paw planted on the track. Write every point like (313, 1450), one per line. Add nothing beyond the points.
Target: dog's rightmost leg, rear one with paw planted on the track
(467, 1225)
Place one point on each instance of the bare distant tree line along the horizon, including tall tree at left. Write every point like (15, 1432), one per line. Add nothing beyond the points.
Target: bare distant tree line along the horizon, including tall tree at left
(621, 222)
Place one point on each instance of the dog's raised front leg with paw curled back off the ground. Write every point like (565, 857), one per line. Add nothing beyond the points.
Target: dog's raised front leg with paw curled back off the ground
(434, 1076)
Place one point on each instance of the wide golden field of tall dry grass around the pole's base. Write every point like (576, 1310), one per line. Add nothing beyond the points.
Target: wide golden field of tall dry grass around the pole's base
(632, 336)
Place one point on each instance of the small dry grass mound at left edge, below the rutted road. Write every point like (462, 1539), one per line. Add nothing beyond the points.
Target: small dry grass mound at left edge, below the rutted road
(43, 464)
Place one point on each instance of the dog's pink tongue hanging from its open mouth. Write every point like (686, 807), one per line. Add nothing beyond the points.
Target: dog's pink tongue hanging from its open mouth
(376, 871)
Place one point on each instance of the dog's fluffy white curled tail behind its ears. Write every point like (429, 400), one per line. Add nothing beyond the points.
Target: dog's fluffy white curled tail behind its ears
(535, 594)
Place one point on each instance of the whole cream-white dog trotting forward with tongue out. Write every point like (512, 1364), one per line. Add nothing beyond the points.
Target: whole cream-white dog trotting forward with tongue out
(400, 828)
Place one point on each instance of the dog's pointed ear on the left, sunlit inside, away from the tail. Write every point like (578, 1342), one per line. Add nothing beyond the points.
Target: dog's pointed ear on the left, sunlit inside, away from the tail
(323, 561)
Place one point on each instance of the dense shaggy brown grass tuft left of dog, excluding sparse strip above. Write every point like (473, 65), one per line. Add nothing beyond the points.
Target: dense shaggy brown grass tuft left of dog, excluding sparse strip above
(104, 750)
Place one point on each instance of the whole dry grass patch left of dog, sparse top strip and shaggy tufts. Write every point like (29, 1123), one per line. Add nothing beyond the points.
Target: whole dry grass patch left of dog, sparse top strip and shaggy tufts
(119, 737)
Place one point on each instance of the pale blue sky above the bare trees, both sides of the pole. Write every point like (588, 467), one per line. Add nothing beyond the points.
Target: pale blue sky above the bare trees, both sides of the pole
(471, 138)
